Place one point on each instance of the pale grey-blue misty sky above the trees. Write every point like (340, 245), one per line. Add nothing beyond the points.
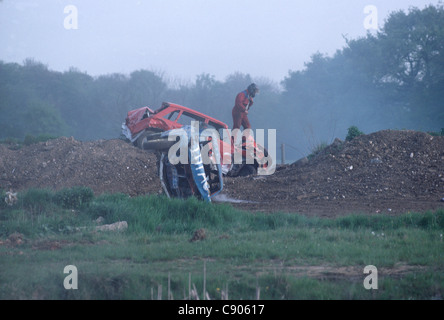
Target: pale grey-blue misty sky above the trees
(184, 38)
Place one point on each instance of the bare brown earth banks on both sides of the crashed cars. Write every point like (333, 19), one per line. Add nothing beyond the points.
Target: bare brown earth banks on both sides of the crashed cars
(387, 172)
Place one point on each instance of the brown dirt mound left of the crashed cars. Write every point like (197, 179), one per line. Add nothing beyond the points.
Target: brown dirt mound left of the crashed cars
(104, 166)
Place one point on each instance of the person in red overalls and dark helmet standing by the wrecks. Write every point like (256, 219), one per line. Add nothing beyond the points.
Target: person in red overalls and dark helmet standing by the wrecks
(243, 102)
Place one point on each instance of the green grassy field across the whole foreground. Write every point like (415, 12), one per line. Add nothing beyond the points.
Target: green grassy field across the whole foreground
(286, 256)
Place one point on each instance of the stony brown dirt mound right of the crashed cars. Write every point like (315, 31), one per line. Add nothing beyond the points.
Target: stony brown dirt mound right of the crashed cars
(384, 171)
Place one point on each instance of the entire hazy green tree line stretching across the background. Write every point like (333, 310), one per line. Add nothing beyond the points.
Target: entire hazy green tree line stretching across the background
(391, 79)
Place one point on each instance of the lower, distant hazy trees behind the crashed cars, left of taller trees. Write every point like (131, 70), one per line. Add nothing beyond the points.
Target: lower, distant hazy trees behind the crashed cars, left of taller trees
(36, 100)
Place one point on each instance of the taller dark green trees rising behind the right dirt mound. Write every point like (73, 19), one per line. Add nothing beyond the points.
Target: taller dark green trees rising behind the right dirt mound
(391, 79)
